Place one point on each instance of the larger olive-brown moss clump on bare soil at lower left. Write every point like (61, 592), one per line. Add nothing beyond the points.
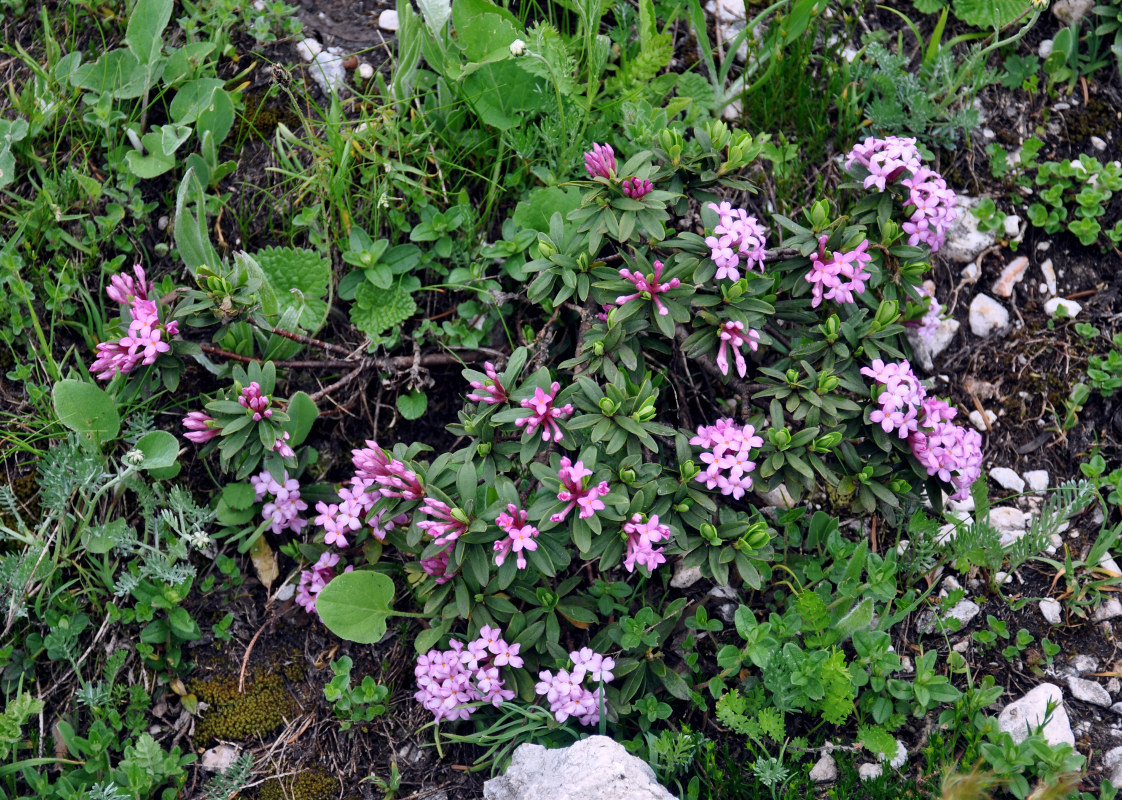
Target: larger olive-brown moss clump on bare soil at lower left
(236, 716)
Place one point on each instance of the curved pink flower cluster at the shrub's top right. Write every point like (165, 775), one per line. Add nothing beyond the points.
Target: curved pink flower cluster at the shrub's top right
(933, 203)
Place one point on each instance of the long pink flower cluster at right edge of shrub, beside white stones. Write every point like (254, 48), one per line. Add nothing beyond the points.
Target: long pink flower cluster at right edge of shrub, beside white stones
(944, 449)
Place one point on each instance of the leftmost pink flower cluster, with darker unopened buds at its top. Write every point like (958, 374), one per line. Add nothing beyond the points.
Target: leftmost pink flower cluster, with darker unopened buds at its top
(148, 336)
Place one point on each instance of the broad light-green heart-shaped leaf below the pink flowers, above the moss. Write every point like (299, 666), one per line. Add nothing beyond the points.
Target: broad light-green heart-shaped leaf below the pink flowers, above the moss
(355, 605)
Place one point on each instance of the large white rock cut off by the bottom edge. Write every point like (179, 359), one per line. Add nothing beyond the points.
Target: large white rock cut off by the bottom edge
(593, 769)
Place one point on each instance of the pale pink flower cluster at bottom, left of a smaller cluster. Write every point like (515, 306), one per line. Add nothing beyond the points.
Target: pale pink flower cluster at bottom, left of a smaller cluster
(449, 681)
